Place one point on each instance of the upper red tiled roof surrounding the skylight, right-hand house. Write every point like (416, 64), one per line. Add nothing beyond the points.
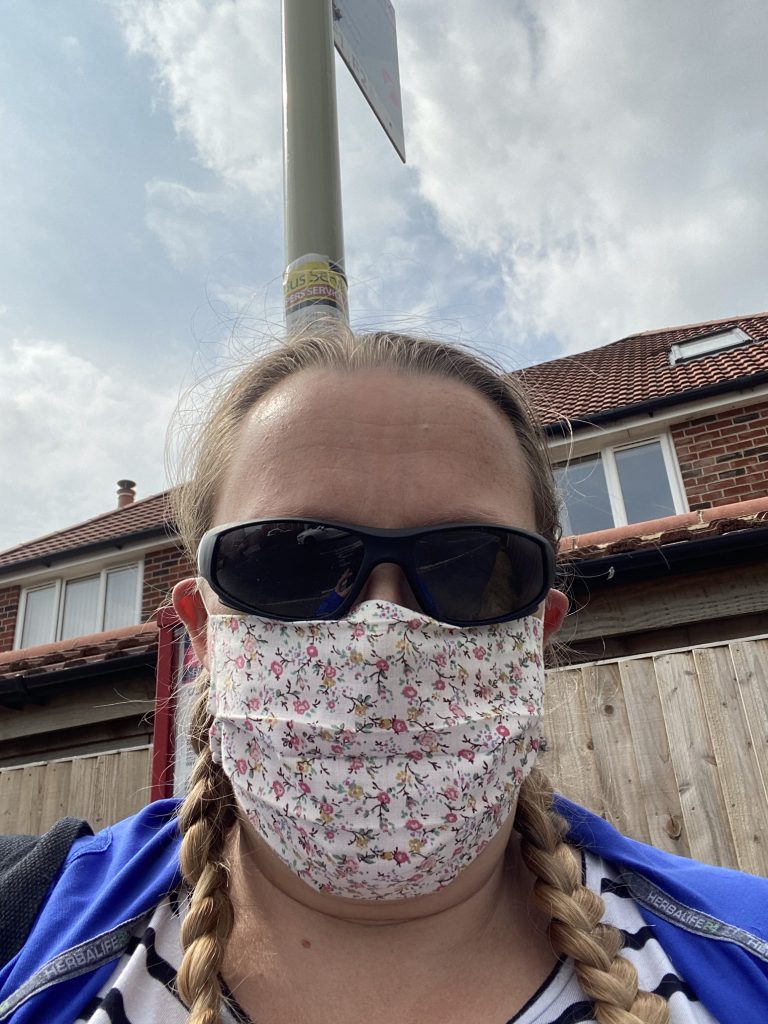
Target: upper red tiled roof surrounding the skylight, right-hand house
(637, 370)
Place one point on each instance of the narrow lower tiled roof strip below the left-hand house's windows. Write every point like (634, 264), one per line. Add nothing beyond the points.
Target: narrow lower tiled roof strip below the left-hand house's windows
(79, 652)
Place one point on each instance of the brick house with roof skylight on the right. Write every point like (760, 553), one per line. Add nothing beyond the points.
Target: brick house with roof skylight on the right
(660, 444)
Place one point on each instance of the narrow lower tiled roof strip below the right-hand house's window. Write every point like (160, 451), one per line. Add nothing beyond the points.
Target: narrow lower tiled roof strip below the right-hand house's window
(750, 515)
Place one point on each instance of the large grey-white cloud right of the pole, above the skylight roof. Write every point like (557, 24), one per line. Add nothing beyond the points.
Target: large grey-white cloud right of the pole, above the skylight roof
(609, 156)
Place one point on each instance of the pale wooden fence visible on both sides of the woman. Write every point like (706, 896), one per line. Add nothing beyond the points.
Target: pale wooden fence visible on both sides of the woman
(672, 748)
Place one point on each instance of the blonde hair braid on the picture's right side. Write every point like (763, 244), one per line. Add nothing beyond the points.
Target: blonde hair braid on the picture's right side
(576, 928)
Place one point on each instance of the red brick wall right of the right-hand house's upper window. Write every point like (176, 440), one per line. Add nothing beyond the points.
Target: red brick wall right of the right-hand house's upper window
(724, 457)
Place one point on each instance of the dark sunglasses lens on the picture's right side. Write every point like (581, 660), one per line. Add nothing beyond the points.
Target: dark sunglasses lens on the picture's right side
(479, 574)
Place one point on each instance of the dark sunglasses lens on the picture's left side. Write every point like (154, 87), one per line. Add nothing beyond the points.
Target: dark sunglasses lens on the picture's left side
(292, 570)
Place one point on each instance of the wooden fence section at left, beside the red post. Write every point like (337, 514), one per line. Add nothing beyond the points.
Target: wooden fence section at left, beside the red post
(100, 788)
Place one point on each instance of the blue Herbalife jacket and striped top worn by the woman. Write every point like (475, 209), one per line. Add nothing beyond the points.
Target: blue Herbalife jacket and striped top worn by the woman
(697, 934)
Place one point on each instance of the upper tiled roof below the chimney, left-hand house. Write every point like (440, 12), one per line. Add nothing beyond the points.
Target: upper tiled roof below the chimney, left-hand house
(144, 517)
